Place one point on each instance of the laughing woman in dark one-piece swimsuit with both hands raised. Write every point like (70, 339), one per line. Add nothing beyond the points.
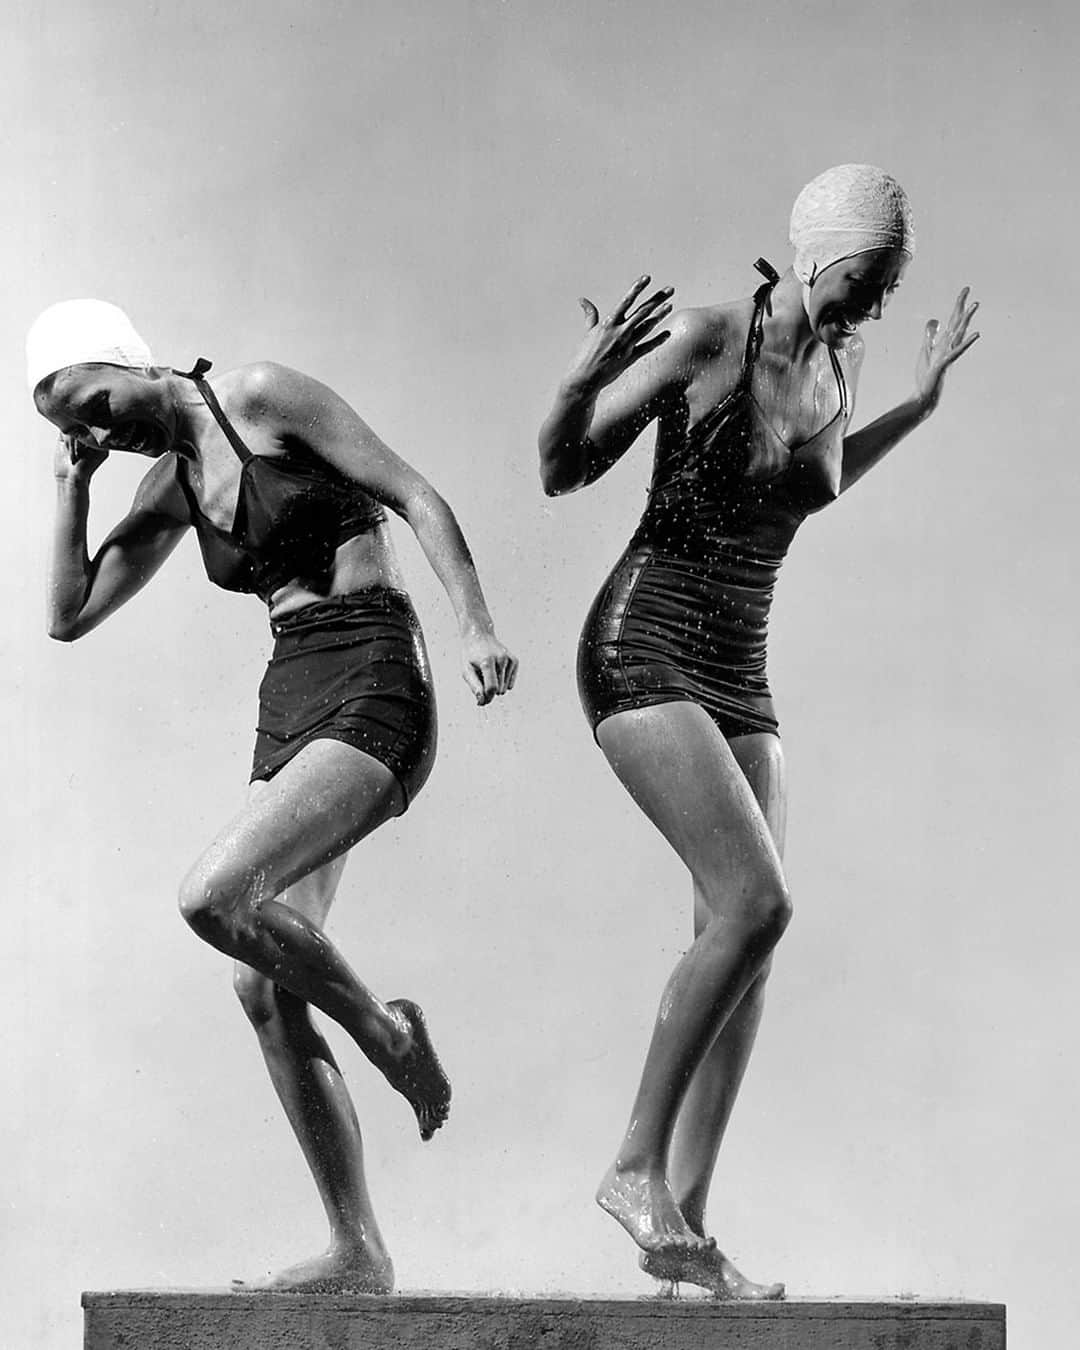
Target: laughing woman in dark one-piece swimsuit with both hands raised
(753, 402)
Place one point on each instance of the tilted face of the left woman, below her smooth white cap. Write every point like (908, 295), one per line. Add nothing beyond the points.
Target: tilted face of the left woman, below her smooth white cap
(109, 408)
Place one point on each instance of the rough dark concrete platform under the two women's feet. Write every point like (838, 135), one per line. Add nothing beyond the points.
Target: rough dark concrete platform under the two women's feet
(223, 1321)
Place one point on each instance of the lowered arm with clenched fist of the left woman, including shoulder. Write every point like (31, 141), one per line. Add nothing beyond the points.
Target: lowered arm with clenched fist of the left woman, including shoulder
(302, 408)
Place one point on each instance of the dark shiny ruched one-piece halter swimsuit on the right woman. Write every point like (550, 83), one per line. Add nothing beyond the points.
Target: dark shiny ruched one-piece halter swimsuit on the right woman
(684, 616)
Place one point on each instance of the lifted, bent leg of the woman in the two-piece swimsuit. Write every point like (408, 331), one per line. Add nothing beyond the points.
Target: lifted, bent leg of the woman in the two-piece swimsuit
(311, 813)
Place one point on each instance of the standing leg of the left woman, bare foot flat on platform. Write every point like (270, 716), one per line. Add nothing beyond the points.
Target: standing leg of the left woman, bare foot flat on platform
(311, 1089)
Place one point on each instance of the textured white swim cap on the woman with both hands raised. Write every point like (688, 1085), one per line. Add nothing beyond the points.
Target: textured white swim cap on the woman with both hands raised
(847, 211)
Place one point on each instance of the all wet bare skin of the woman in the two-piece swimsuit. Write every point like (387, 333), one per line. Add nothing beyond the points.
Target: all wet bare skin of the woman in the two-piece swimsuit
(263, 890)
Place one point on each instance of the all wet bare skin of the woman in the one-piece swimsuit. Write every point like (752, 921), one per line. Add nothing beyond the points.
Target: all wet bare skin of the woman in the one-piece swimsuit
(720, 805)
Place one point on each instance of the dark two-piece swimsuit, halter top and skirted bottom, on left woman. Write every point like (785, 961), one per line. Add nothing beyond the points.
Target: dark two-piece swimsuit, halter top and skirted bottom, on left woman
(353, 668)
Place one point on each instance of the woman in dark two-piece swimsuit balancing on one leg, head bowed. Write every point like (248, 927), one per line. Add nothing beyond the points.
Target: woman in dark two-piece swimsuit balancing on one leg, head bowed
(286, 488)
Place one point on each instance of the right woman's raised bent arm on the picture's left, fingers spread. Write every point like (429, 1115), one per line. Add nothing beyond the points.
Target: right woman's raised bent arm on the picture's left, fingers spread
(591, 425)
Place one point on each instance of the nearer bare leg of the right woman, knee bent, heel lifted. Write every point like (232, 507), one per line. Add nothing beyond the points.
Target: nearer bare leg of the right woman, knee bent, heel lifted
(682, 773)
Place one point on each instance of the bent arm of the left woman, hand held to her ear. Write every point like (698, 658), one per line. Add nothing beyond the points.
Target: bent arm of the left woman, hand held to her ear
(84, 591)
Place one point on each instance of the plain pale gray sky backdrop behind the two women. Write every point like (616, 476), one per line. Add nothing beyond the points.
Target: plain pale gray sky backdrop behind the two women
(407, 200)
